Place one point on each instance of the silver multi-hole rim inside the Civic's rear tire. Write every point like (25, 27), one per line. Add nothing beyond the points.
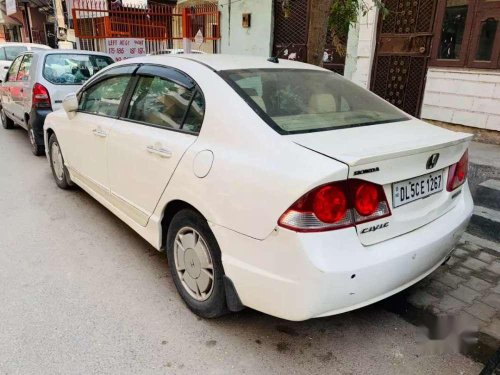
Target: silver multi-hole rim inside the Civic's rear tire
(194, 264)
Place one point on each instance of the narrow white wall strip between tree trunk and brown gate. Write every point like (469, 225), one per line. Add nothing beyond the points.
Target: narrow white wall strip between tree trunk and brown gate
(361, 47)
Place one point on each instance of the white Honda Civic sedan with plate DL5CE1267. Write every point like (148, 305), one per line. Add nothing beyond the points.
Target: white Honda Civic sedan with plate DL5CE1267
(278, 186)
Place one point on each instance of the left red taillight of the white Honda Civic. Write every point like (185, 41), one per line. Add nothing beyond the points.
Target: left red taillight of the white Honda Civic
(336, 205)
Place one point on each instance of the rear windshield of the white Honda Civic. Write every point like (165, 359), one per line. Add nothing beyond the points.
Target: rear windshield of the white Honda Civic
(302, 101)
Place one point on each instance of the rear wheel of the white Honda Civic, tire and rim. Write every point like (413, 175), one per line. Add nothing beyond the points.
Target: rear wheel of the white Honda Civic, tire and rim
(194, 259)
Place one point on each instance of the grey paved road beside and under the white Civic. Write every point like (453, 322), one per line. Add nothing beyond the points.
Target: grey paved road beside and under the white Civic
(82, 293)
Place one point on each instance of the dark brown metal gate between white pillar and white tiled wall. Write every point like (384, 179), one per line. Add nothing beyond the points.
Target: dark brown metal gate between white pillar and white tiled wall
(402, 53)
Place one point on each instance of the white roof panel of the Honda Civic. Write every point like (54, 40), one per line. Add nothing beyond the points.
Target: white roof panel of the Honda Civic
(220, 62)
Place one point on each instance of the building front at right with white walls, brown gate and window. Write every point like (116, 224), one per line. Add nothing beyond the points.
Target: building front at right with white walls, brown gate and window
(435, 59)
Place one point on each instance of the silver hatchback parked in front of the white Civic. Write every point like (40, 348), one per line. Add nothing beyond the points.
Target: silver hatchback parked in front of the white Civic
(36, 84)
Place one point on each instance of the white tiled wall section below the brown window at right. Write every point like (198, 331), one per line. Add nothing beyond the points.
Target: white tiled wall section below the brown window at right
(463, 96)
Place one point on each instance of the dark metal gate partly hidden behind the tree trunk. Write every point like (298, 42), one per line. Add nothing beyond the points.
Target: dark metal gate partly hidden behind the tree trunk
(291, 28)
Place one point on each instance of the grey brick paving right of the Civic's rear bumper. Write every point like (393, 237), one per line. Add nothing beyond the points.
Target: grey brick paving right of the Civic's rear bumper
(466, 288)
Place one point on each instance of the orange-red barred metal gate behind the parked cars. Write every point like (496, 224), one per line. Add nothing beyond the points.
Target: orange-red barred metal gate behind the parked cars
(162, 26)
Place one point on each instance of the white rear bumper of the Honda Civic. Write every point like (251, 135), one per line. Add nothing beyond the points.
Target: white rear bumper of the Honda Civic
(297, 276)
